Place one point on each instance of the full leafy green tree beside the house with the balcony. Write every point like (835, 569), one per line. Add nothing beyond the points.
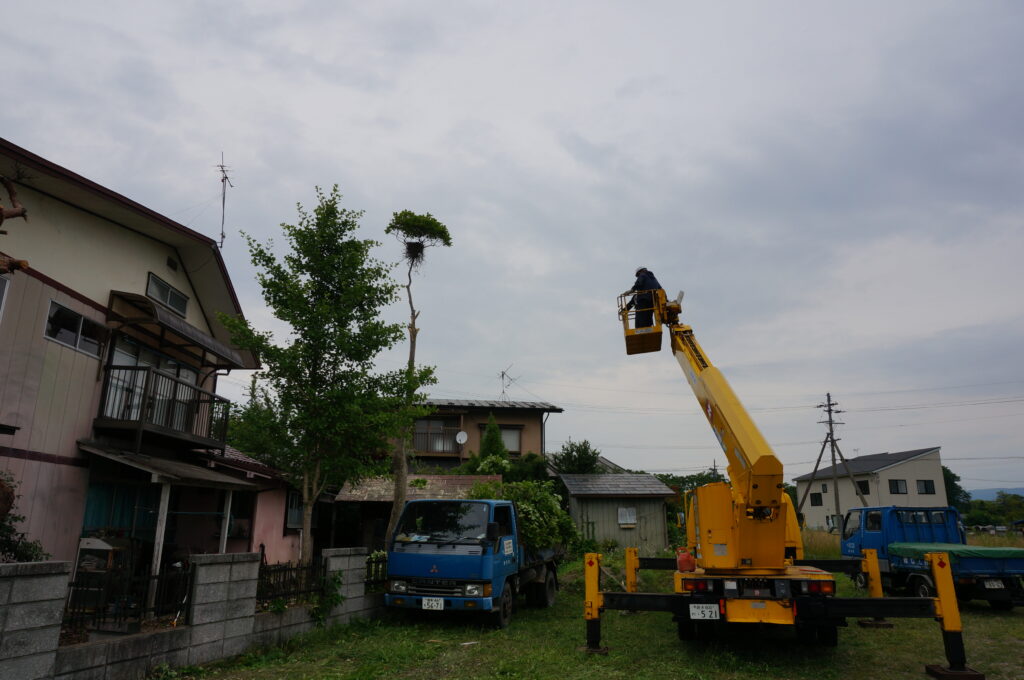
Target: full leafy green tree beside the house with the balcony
(324, 415)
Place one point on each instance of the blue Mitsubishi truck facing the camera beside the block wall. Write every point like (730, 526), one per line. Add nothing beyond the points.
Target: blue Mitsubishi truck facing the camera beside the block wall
(466, 557)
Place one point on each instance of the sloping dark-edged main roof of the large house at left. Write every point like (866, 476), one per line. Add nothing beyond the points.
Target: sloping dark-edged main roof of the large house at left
(195, 250)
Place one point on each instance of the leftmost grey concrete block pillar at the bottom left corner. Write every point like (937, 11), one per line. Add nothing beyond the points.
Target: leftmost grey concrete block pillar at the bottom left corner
(32, 604)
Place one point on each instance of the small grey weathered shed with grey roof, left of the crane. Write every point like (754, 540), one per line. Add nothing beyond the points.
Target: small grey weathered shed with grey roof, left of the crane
(626, 508)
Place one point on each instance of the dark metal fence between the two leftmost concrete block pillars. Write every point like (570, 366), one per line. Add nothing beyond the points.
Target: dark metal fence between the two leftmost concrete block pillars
(117, 602)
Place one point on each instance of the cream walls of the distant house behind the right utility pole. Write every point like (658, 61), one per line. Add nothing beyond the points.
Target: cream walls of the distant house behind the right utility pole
(928, 466)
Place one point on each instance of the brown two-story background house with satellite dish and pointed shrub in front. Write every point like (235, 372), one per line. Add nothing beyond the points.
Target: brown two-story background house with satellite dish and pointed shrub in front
(436, 441)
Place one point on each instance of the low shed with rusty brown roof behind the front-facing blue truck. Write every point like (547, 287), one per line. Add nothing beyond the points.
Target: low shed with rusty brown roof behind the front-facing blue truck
(364, 509)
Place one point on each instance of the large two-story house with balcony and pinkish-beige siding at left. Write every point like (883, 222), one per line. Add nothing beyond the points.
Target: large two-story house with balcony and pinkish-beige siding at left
(110, 354)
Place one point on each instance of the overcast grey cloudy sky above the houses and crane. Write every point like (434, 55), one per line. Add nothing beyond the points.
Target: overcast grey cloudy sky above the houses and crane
(839, 190)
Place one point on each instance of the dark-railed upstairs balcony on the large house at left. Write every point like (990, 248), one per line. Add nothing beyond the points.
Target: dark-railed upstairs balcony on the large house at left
(149, 403)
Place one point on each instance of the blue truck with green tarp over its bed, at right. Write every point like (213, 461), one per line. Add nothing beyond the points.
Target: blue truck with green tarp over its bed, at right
(903, 536)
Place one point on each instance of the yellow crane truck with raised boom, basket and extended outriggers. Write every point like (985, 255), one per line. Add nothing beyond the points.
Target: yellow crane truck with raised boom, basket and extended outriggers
(748, 558)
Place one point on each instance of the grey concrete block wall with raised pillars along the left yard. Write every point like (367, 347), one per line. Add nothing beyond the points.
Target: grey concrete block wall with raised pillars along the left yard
(223, 620)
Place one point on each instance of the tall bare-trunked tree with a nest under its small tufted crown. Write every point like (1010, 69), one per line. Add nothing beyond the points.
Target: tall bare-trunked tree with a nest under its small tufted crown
(417, 233)
